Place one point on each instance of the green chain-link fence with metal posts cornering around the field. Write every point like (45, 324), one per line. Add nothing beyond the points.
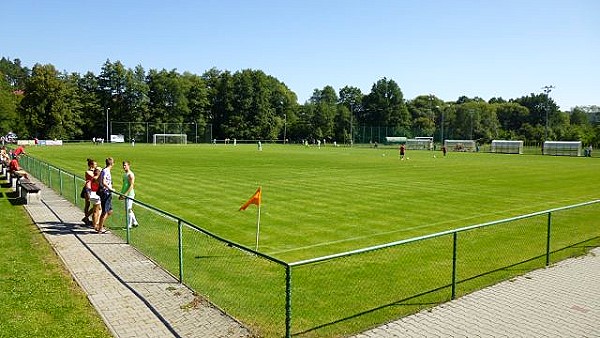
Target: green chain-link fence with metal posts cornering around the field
(346, 292)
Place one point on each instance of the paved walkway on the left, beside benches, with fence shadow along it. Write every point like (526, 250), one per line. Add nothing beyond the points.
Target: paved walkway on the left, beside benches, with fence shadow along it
(134, 296)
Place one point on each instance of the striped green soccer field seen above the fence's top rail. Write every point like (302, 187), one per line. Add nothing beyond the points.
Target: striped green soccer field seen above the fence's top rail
(329, 200)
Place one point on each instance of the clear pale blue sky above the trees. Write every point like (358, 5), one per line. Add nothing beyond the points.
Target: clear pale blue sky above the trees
(488, 49)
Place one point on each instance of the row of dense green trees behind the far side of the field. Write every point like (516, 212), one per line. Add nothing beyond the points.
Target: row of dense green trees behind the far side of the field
(45, 103)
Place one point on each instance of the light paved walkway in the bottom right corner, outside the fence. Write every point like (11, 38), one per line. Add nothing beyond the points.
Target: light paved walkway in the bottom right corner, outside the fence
(560, 301)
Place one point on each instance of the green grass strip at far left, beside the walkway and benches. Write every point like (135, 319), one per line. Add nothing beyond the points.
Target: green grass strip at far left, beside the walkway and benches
(38, 298)
